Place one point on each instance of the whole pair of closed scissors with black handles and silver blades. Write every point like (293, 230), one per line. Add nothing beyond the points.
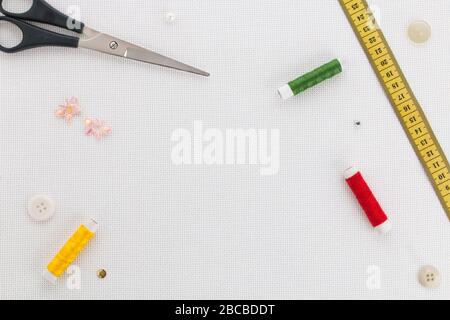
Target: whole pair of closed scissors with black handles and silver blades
(33, 36)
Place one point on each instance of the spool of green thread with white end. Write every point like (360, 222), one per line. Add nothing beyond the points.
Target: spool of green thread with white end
(310, 79)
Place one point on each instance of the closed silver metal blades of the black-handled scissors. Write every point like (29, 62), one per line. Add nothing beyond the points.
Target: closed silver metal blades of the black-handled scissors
(102, 42)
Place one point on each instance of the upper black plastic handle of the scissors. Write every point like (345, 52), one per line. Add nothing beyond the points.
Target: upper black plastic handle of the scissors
(41, 11)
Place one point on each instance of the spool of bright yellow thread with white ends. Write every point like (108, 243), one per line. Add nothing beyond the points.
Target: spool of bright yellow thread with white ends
(70, 251)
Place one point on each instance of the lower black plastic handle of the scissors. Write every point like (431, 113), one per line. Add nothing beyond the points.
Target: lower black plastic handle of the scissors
(33, 37)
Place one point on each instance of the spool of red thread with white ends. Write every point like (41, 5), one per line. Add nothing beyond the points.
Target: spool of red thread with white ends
(367, 200)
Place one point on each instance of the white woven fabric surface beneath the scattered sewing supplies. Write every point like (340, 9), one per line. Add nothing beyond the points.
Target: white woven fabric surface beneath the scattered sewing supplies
(208, 232)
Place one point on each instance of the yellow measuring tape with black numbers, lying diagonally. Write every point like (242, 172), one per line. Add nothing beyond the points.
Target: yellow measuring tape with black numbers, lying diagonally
(402, 98)
